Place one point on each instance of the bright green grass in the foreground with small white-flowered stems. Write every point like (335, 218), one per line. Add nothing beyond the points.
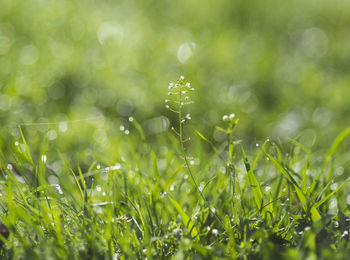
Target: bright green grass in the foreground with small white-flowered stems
(274, 202)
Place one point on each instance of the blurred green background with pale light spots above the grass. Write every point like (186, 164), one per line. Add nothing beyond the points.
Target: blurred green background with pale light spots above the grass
(281, 66)
